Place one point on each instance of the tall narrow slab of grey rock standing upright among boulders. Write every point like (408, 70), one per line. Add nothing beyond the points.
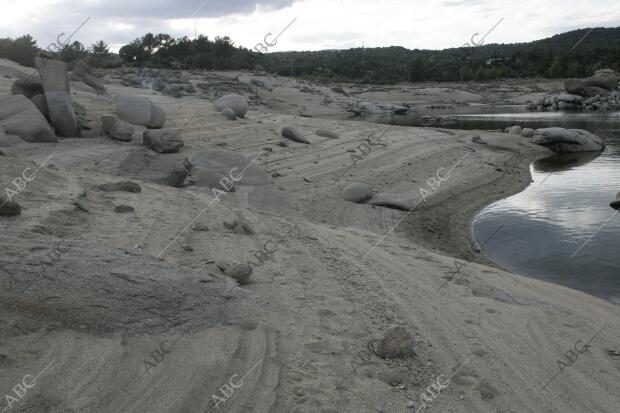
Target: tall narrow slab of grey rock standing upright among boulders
(53, 75)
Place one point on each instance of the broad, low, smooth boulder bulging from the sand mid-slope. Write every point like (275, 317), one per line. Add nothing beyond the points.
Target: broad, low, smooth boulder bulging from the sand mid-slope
(230, 163)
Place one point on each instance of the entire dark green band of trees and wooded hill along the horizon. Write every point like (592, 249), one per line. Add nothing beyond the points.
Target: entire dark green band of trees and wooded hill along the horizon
(565, 55)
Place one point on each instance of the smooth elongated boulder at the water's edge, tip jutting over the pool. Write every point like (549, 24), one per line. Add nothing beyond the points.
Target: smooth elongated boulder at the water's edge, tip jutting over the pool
(568, 140)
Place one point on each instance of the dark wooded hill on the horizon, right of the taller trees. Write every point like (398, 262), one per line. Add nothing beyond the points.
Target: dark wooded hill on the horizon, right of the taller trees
(558, 56)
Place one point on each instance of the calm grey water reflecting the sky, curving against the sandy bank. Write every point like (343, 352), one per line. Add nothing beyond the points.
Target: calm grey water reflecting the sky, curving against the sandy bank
(561, 228)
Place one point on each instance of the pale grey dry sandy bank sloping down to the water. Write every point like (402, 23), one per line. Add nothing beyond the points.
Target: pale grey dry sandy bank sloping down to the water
(166, 331)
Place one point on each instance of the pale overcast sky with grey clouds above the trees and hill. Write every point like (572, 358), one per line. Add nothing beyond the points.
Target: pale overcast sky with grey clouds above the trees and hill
(319, 24)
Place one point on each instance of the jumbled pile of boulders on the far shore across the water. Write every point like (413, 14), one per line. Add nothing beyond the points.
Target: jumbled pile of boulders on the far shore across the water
(599, 91)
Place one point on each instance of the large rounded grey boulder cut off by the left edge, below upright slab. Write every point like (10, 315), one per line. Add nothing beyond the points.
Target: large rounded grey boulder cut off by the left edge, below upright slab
(19, 116)
